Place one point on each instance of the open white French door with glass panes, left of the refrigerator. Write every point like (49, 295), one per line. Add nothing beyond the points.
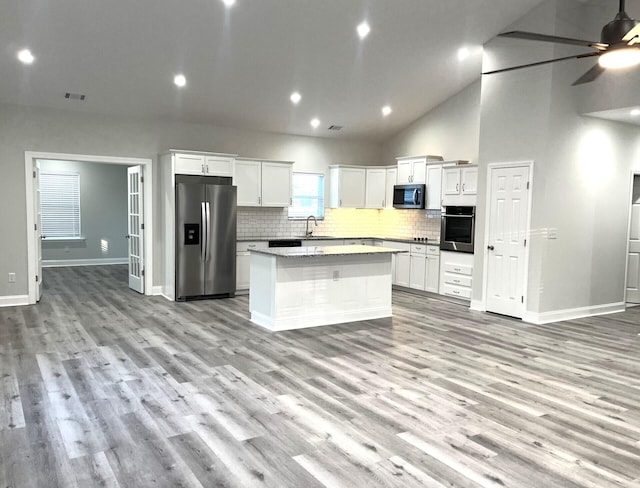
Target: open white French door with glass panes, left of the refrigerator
(136, 228)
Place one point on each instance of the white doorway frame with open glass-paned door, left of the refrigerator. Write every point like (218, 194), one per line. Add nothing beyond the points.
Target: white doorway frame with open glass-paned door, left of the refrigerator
(139, 210)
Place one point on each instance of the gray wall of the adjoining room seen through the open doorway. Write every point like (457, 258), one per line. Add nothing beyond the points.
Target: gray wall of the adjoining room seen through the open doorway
(103, 206)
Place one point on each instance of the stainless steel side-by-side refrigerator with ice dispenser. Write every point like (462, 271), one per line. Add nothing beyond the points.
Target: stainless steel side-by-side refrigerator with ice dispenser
(205, 237)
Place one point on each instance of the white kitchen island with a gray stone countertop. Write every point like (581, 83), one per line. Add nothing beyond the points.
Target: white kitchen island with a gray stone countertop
(298, 287)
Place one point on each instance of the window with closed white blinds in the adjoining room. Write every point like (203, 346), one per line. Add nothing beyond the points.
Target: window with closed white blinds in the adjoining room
(60, 205)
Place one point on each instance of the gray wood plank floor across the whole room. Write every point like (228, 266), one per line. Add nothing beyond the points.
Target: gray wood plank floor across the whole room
(104, 387)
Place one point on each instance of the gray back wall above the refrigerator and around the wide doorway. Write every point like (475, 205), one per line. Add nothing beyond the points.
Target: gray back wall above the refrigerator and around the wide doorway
(31, 129)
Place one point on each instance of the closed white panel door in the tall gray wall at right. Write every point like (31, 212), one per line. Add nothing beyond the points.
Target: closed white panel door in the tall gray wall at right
(508, 229)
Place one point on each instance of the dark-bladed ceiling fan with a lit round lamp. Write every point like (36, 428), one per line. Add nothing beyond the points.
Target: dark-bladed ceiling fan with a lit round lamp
(619, 47)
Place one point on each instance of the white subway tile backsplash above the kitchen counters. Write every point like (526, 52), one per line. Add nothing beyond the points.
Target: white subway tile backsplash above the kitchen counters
(395, 223)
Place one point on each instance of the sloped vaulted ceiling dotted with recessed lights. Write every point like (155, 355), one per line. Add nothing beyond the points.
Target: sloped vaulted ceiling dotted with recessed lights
(243, 63)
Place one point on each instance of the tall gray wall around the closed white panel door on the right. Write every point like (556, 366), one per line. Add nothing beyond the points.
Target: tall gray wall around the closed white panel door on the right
(582, 169)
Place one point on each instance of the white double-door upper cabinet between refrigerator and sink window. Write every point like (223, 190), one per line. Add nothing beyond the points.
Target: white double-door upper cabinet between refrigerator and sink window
(263, 183)
